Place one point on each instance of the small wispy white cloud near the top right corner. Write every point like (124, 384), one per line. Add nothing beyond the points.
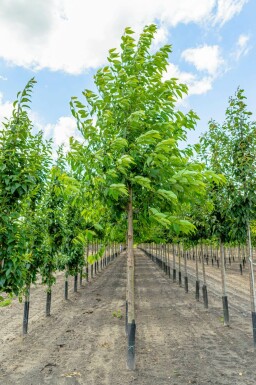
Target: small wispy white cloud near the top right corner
(227, 9)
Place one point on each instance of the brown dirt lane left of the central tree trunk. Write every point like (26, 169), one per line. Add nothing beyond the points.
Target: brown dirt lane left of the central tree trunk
(77, 344)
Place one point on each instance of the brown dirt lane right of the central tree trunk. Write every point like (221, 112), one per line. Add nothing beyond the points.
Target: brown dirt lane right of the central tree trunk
(180, 342)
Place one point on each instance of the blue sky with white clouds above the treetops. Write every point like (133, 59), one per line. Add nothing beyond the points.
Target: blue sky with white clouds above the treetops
(62, 43)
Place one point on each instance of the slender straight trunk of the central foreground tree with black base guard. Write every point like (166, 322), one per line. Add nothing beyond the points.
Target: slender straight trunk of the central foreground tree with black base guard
(131, 326)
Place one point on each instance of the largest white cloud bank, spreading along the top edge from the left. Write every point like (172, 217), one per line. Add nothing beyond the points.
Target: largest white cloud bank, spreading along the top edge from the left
(73, 36)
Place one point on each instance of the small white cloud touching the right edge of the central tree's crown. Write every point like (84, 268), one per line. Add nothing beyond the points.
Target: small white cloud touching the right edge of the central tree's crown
(196, 85)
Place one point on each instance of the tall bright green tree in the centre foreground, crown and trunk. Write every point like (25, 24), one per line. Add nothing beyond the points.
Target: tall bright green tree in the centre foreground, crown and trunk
(130, 154)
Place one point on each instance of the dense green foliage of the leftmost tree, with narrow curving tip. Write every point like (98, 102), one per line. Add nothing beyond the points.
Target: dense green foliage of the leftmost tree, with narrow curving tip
(24, 164)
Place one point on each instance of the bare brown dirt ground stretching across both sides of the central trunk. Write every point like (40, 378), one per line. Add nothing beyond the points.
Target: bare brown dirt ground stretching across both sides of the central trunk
(178, 341)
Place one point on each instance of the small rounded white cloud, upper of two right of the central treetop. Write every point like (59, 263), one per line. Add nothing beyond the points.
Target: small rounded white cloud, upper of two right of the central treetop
(206, 58)
